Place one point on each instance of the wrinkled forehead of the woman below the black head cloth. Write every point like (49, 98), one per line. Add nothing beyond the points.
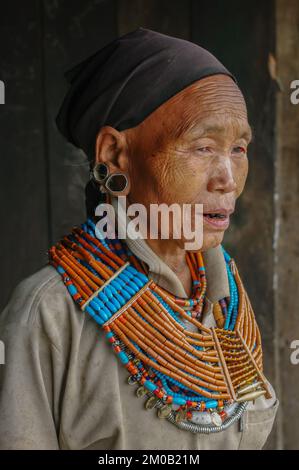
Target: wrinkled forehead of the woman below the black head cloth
(211, 105)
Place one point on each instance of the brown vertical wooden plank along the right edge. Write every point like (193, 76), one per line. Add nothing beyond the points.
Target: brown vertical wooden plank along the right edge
(287, 227)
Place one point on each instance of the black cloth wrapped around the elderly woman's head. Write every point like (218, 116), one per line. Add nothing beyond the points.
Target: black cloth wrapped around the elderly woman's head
(125, 81)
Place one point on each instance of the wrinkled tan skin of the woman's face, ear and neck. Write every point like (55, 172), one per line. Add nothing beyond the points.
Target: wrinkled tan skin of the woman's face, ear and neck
(206, 163)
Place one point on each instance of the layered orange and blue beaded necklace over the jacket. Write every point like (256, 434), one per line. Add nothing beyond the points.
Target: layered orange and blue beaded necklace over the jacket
(200, 381)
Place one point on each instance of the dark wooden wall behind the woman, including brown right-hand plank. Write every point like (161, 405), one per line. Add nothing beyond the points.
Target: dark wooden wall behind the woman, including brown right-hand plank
(42, 178)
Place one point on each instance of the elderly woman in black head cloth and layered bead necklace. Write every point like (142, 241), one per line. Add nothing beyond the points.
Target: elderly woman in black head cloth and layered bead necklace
(140, 343)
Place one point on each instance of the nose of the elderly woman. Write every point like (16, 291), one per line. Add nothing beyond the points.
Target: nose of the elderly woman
(222, 177)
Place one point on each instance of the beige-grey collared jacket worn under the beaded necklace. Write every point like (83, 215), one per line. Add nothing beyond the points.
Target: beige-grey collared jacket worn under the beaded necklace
(62, 387)
